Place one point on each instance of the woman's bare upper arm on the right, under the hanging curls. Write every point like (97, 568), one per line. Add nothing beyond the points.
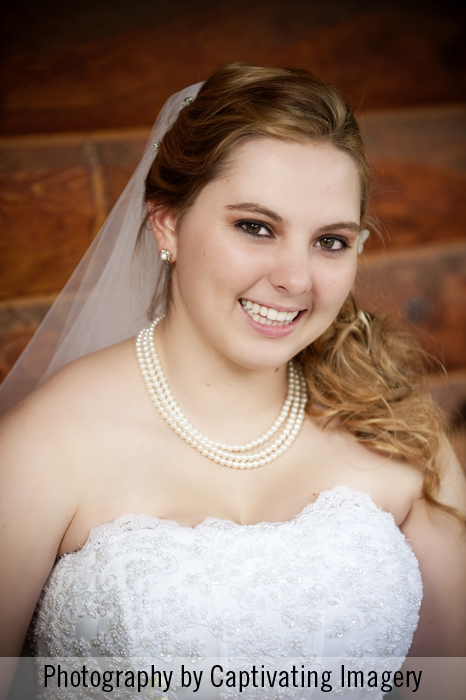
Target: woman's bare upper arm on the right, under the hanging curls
(439, 543)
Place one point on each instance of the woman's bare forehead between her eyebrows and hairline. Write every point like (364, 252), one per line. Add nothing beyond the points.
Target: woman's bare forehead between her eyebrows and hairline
(289, 176)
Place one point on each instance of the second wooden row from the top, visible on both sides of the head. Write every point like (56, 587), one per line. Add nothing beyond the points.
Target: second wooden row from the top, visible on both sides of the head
(57, 190)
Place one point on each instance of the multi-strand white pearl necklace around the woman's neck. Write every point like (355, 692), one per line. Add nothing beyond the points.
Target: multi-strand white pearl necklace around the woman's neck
(291, 414)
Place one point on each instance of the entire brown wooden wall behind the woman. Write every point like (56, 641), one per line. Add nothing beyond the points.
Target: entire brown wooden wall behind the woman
(83, 81)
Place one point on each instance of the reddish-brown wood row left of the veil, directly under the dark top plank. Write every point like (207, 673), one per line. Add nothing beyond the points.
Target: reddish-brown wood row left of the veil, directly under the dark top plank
(55, 193)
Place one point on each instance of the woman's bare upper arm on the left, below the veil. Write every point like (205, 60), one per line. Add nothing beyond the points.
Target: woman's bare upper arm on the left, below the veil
(37, 502)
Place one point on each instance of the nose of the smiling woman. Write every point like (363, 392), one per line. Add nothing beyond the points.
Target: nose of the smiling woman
(291, 271)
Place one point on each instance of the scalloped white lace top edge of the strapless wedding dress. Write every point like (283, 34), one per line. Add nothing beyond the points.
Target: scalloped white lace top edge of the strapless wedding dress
(166, 523)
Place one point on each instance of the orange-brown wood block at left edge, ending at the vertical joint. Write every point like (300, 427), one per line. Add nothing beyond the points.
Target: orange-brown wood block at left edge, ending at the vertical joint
(46, 215)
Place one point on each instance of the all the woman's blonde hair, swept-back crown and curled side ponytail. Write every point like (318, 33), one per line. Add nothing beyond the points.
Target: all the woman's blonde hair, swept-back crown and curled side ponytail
(360, 371)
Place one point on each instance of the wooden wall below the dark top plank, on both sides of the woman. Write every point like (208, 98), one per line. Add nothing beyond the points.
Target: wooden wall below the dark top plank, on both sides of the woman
(56, 191)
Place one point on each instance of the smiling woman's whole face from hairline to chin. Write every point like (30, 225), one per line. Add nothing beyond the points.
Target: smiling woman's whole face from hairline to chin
(267, 254)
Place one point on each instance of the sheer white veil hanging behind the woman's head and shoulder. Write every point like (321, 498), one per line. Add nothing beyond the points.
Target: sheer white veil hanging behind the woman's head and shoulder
(107, 297)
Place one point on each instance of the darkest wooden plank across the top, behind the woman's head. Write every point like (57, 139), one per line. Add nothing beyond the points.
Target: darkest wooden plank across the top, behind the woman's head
(92, 65)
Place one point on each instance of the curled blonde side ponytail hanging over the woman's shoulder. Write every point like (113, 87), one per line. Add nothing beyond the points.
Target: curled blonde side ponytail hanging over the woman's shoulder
(370, 376)
